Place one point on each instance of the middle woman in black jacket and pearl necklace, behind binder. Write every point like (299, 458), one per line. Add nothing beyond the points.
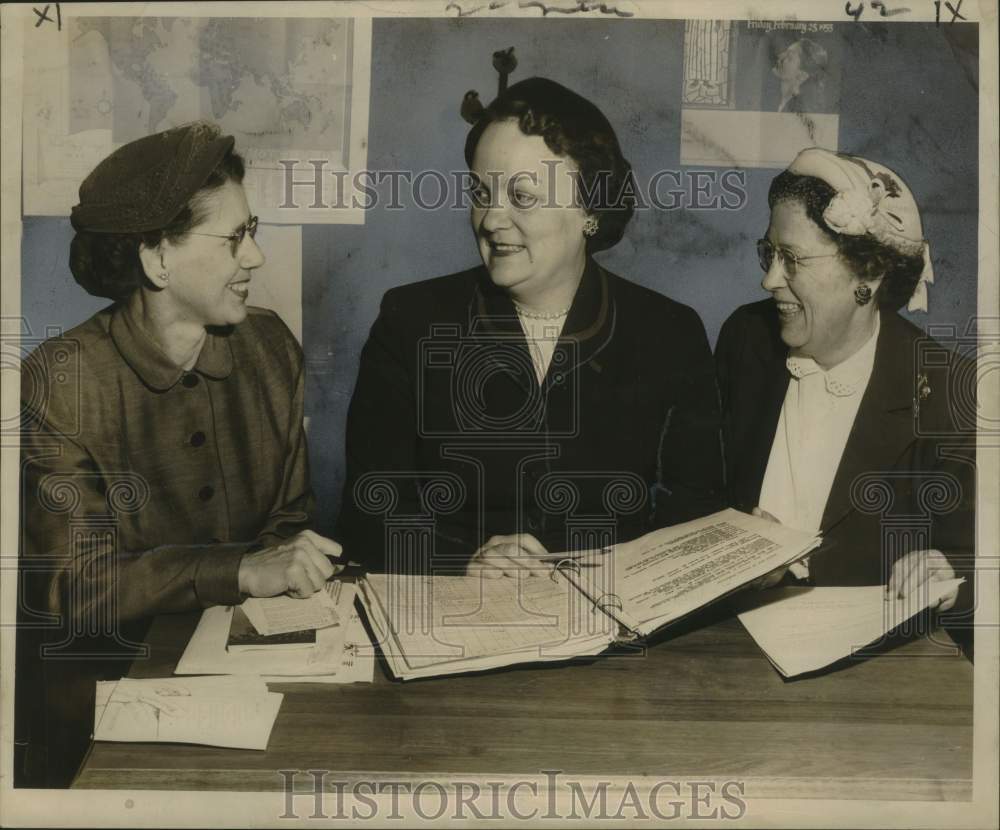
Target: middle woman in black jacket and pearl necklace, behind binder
(537, 402)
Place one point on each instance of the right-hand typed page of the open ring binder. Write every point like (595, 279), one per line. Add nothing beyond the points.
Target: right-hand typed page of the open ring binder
(671, 572)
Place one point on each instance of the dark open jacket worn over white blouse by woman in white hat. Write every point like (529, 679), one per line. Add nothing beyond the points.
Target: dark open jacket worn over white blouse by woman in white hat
(906, 480)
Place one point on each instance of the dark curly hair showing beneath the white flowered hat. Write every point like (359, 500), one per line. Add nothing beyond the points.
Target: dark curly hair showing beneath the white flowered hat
(868, 258)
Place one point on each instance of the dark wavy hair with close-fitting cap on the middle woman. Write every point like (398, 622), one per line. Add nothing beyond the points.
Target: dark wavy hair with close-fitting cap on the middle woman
(571, 126)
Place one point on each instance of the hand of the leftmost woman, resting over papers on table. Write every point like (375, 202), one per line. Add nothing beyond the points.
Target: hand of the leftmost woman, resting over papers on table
(298, 567)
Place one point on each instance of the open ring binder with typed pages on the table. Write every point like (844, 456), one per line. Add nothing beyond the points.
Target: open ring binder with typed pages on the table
(438, 625)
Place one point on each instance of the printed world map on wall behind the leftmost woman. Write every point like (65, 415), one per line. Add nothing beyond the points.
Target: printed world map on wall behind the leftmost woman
(275, 84)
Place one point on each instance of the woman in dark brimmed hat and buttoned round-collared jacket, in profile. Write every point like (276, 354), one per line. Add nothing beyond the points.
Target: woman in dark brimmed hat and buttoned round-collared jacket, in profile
(164, 464)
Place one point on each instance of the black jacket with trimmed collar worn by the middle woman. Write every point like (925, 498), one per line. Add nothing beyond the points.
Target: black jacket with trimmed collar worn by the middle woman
(450, 438)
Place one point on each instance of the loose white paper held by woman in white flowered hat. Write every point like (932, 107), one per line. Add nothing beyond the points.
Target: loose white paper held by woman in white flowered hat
(805, 629)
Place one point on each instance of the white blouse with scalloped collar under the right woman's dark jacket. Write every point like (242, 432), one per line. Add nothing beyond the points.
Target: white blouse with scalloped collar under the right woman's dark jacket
(815, 422)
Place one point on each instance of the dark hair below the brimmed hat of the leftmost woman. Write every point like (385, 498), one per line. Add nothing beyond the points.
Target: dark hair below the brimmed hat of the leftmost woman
(108, 265)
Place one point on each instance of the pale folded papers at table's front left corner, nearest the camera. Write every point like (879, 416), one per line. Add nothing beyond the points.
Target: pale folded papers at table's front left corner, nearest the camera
(216, 711)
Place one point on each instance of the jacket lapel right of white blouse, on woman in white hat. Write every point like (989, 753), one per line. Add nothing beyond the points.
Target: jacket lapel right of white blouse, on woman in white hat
(883, 428)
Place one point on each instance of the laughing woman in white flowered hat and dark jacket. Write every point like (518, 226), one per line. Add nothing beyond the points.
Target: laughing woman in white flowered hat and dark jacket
(833, 420)
